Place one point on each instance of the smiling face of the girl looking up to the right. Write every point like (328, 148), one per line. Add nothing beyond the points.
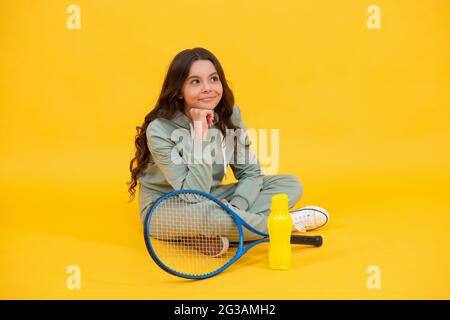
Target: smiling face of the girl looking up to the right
(202, 82)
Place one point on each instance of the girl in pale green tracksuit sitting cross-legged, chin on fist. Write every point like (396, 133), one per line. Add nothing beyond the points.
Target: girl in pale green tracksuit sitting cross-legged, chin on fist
(196, 104)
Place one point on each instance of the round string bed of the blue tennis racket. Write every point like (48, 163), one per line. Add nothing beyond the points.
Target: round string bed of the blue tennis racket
(192, 234)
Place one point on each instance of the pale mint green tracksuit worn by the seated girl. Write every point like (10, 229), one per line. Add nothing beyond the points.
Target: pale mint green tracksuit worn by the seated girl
(175, 164)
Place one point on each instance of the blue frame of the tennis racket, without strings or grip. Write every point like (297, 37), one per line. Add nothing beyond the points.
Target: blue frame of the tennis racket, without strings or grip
(239, 222)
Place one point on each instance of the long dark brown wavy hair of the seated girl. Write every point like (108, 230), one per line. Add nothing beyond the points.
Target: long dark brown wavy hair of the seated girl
(169, 102)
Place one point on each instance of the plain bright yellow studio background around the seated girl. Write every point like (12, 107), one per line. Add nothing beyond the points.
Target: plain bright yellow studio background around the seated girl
(363, 118)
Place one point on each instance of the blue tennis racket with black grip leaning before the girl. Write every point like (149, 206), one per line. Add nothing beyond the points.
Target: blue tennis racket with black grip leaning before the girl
(194, 235)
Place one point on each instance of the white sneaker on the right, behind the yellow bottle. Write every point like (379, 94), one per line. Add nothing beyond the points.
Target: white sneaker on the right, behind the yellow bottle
(309, 218)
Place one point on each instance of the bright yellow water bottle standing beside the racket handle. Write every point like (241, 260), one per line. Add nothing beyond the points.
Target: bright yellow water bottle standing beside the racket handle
(280, 228)
